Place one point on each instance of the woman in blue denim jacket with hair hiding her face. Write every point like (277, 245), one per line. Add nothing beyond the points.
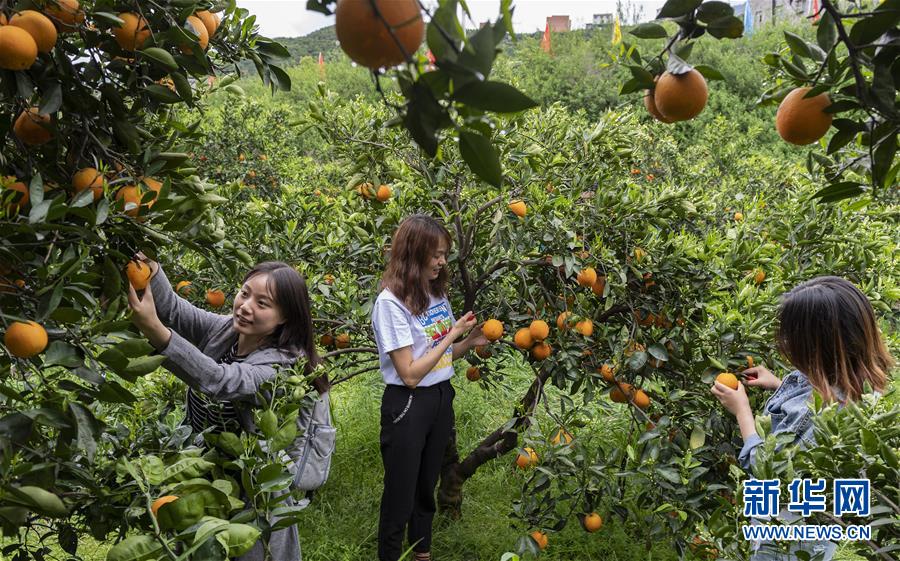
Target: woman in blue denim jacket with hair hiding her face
(827, 331)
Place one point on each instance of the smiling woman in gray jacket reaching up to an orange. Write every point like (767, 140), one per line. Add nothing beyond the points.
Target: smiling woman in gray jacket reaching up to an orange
(225, 358)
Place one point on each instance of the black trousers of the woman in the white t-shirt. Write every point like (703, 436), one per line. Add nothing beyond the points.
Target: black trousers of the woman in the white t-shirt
(415, 429)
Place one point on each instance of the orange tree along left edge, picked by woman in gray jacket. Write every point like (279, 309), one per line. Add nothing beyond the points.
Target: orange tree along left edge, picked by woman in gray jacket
(97, 113)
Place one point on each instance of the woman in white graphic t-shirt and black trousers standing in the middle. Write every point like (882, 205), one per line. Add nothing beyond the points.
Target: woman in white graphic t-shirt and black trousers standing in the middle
(415, 332)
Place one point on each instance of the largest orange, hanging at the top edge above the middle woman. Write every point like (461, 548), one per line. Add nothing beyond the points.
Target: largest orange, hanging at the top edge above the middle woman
(368, 39)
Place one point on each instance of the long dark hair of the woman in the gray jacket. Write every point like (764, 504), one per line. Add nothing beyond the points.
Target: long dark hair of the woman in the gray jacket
(289, 291)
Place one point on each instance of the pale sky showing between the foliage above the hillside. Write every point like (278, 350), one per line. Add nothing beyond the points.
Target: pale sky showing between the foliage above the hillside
(290, 18)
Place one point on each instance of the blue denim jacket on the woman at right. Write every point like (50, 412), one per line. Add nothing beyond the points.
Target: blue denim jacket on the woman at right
(789, 409)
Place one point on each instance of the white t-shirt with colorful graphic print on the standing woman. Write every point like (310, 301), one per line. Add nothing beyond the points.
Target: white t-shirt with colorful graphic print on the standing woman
(396, 327)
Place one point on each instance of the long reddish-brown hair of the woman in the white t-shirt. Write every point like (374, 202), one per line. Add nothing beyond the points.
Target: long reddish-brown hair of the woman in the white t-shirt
(412, 247)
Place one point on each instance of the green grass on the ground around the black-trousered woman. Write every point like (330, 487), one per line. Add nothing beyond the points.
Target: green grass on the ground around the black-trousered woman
(342, 520)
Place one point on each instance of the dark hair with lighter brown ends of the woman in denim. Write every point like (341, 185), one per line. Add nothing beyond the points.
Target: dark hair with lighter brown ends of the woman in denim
(827, 330)
